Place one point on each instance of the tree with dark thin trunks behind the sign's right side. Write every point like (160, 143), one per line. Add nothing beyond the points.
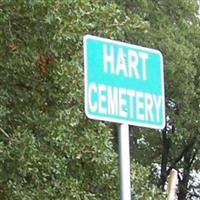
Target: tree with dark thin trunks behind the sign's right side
(174, 29)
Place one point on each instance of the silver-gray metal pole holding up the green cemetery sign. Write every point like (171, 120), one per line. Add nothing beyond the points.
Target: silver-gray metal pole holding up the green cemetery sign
(124, 152)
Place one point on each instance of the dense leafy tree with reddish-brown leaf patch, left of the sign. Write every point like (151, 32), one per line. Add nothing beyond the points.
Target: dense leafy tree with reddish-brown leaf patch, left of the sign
(48, 149)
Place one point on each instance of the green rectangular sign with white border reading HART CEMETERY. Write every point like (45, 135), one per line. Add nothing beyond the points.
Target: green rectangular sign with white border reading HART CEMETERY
(124, 83)
